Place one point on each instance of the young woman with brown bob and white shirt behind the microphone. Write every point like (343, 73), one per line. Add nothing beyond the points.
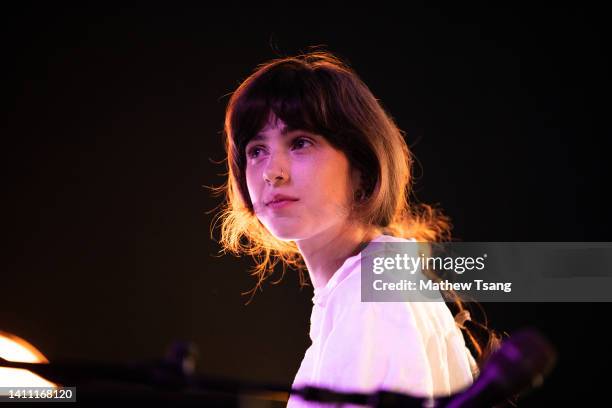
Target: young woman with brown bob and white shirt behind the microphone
(316, 171)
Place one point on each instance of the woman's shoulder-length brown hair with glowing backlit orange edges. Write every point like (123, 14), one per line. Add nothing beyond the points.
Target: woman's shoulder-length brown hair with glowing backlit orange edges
(319, 93)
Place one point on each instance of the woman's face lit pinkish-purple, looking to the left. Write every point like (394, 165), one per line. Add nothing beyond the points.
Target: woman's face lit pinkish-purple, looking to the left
(303, 166)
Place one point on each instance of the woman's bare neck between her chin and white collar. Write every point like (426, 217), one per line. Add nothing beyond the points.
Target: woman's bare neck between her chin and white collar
(325, 253)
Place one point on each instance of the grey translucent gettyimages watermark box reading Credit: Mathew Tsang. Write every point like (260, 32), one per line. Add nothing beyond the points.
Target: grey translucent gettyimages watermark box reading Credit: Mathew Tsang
(487, 271)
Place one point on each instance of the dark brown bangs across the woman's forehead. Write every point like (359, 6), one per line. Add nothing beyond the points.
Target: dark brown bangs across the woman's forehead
(293, 93)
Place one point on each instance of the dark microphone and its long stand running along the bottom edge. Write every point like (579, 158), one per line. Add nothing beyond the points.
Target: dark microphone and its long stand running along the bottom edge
(501, 378)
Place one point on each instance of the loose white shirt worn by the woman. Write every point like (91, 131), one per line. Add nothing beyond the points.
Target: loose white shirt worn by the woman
(410, 347)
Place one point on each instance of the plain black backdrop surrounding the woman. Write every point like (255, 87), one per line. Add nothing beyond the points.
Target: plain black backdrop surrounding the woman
(112, 127)
